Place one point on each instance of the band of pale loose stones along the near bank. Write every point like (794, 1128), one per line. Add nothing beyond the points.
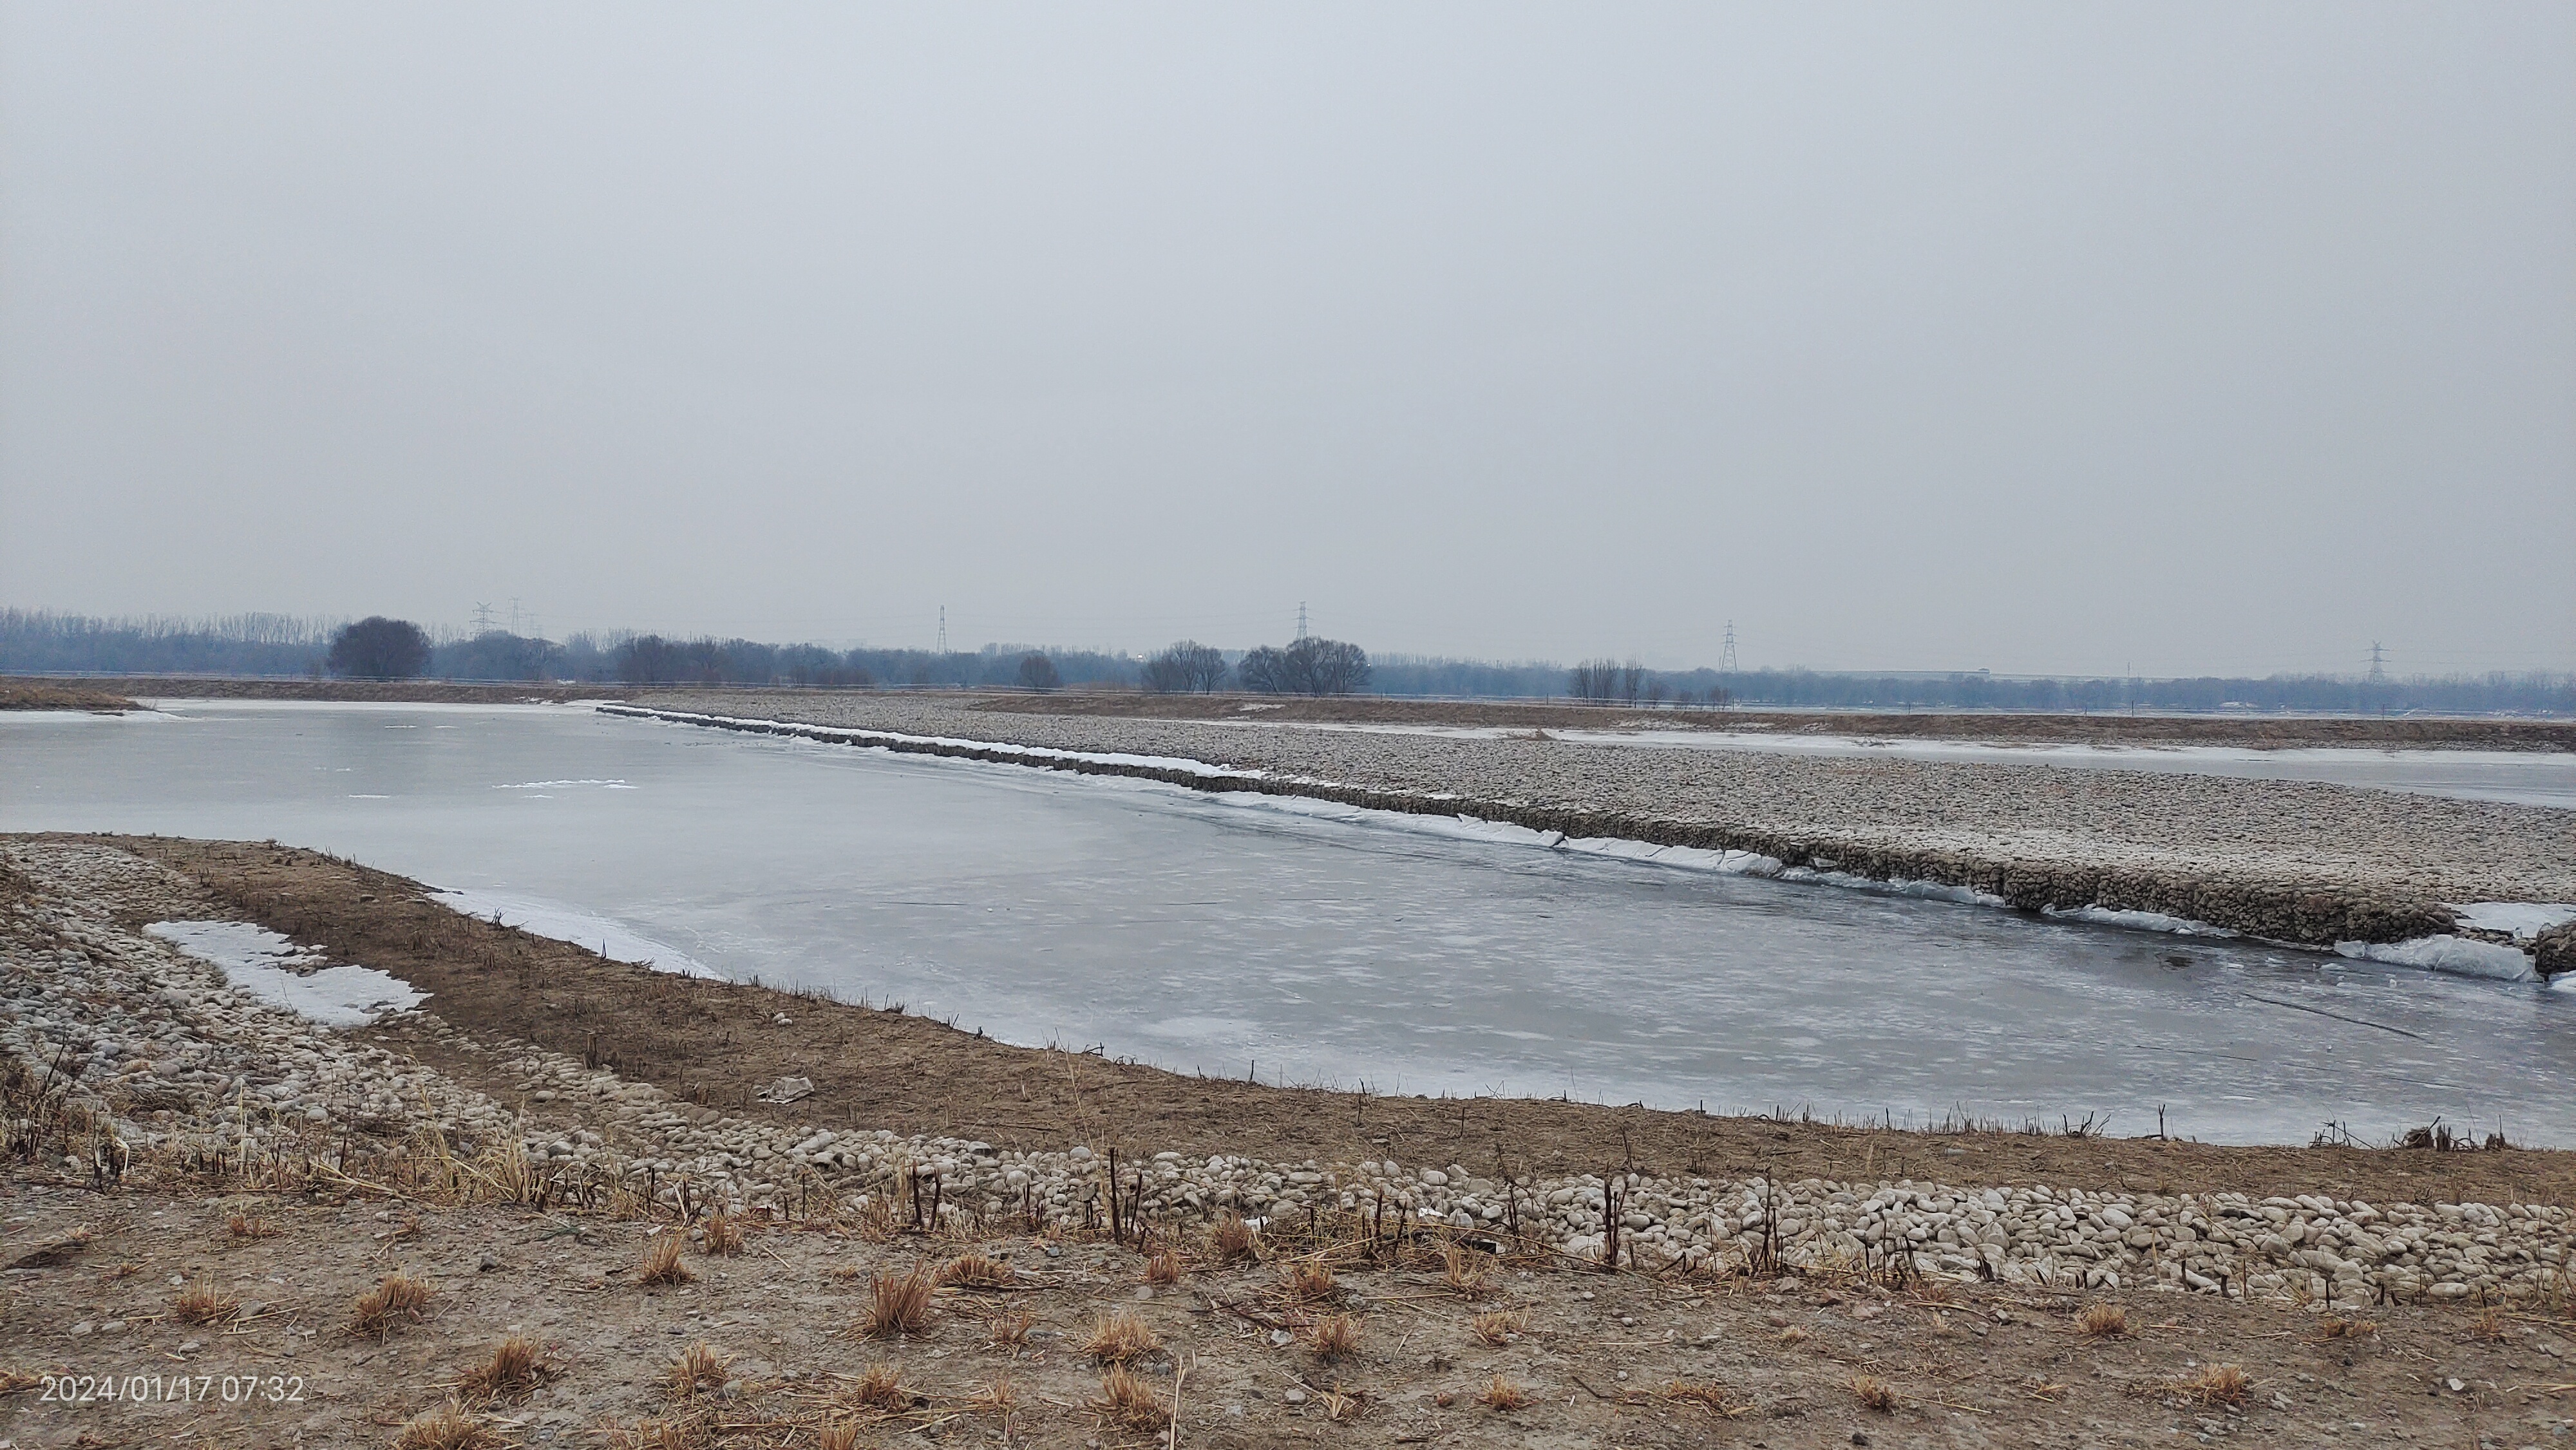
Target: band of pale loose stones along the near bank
(182, 1068)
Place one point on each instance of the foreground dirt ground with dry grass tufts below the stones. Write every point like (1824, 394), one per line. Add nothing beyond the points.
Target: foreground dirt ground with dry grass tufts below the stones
(97, 1292)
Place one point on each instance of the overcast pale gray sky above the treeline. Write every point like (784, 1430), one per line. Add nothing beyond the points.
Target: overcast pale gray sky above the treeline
(2041, 339)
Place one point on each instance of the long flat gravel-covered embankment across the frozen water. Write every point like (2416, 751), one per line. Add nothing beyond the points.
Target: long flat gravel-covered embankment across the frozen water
(2268, 859)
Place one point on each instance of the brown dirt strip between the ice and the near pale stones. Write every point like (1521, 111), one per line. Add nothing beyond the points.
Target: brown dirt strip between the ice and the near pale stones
(877, 1068)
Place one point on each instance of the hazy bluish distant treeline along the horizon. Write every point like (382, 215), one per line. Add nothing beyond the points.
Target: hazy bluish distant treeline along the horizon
(37, 643)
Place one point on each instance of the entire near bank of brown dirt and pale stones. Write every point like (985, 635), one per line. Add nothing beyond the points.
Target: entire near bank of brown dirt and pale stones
(524, 1137)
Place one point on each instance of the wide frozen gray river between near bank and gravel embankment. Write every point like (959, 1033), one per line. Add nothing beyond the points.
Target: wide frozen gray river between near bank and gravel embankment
(1207, 934)
